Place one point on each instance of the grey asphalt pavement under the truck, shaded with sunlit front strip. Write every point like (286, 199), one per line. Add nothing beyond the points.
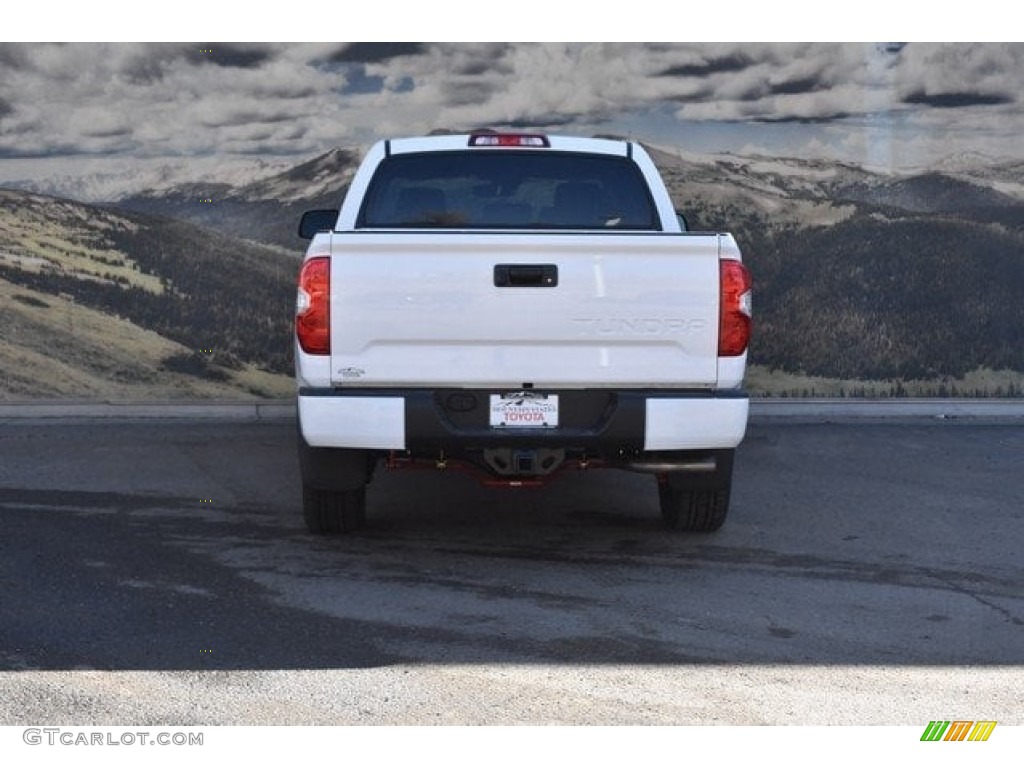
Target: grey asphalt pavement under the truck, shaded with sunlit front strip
(156, 570)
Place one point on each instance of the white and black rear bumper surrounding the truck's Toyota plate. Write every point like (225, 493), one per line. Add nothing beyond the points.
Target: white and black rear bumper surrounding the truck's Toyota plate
(595, 422)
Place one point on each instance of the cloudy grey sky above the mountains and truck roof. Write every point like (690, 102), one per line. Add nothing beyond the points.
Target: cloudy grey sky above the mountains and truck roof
(93, 106)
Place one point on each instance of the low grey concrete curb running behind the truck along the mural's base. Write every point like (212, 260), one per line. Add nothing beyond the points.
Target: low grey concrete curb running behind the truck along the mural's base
(763, 410)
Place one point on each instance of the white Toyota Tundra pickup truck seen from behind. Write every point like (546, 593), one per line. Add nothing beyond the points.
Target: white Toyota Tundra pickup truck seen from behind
(517, 306)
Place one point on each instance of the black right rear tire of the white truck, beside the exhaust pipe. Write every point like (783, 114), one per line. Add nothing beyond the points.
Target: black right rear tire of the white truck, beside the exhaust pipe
(695, 502)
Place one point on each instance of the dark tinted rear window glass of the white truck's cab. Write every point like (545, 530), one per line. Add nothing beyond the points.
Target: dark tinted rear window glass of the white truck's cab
(508, 191)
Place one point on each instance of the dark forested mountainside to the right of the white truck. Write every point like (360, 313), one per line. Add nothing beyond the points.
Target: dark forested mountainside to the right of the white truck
(862, 276)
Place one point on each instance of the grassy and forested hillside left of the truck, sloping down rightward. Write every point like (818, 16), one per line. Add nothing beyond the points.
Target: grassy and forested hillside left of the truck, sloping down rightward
(97, 303)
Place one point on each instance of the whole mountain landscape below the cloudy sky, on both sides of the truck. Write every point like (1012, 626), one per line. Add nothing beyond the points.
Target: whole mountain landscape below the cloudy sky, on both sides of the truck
(865, 282)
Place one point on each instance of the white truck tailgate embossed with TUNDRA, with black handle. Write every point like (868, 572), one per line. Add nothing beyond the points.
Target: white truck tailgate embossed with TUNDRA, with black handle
(431, 310)
